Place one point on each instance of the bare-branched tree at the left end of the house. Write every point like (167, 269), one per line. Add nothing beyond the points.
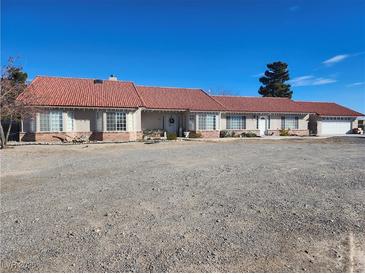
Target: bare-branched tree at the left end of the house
(14, 98)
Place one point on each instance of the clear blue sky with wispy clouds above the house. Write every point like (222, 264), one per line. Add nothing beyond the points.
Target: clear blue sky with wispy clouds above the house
(220, 46)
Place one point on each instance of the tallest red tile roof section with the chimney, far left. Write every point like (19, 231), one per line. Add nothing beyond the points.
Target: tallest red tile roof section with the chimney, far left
(76, 92)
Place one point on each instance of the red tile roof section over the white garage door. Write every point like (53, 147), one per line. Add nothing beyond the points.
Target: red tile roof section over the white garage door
(328, 109)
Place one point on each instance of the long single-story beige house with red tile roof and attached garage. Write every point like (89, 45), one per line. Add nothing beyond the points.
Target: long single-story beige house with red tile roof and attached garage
(112, 110)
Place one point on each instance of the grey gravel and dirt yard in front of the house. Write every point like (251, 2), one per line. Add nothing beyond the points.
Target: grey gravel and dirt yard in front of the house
(247, 205)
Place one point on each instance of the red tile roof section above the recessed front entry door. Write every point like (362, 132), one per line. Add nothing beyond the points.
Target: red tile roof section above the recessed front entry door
(178, 98)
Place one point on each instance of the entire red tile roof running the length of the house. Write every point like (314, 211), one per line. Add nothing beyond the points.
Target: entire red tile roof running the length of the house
(76, 92)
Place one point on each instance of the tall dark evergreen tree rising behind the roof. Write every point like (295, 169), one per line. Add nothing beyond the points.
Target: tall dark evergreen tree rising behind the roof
(274, 81)
